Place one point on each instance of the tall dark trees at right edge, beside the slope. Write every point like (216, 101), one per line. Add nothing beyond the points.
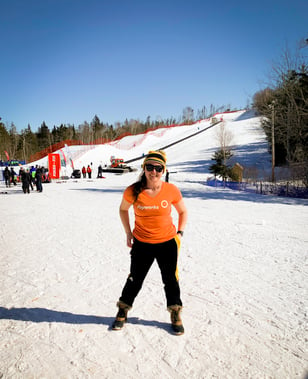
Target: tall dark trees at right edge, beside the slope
(284, 105)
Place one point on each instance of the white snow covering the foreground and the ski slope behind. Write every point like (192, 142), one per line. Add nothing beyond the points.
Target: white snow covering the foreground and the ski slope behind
(243, 272)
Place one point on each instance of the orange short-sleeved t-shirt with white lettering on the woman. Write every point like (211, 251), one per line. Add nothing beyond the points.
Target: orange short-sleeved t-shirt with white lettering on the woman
(153, 221)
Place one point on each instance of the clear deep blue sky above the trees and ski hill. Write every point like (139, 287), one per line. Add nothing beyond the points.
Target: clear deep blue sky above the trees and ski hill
(65, 61)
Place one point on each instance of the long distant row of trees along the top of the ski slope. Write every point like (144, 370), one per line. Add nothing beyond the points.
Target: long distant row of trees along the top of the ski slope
(24, 144)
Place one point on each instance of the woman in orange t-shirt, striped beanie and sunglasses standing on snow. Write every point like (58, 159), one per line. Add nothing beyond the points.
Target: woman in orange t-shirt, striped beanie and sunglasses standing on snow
(154, 236)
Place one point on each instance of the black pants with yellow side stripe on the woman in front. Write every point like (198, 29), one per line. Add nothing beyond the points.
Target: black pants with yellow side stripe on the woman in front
(142, 257)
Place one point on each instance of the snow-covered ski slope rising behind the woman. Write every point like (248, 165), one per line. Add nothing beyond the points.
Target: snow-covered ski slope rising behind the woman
(248, 145)
